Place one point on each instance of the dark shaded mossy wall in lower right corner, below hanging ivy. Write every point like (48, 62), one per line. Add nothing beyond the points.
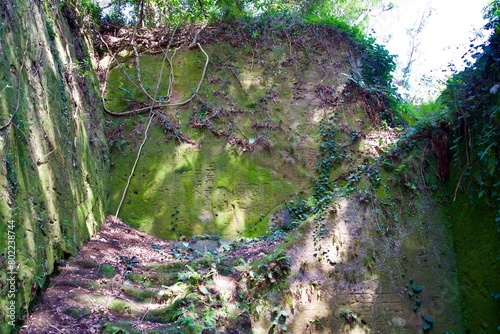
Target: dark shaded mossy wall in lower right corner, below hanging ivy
(476, 242)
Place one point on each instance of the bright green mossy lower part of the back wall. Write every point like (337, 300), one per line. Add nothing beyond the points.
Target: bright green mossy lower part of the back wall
(185, 190)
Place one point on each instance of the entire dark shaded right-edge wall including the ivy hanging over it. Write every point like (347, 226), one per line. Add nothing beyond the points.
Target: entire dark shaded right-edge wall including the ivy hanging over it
(472, 109)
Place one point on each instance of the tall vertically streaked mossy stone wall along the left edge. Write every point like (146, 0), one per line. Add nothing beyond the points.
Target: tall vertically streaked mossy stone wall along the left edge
(53, 170)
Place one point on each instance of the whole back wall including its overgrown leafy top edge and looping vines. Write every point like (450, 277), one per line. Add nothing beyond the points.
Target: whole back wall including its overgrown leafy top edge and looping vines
(246, 143)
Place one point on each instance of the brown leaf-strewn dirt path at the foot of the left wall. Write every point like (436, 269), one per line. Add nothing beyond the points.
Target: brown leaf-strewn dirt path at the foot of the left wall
(117, 277)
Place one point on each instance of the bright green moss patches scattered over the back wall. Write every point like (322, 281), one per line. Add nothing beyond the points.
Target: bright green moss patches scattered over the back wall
(216, 189)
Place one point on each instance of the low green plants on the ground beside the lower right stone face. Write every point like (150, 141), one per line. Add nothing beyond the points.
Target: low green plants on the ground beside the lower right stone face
(194, 305)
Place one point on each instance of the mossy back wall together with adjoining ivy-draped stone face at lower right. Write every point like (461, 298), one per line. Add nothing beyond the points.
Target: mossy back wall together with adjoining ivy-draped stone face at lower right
(272, 122)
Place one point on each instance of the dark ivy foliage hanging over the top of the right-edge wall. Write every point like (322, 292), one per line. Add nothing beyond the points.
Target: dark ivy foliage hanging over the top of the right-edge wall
(473, 100)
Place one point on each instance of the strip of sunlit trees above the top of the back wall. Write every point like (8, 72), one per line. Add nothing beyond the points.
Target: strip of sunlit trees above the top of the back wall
(160, 12)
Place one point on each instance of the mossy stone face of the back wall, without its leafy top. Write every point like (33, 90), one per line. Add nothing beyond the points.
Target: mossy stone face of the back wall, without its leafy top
(247, 144)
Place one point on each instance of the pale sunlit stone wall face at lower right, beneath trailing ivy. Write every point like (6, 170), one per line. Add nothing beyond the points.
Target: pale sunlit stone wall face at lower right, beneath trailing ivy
(347, 278)
